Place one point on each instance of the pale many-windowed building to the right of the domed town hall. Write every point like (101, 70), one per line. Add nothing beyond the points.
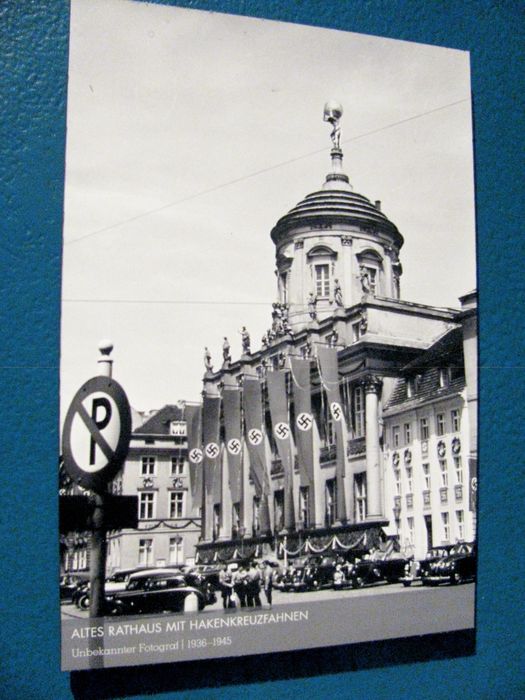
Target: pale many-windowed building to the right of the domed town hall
(428, 461)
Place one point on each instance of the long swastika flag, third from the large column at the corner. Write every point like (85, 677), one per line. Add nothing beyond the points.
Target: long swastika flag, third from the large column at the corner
(276, 383)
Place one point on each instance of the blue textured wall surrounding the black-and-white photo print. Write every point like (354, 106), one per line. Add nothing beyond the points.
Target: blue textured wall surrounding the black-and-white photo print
(34, 37)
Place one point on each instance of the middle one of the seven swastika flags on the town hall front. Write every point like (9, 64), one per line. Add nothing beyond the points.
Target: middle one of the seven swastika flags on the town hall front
(256, 449)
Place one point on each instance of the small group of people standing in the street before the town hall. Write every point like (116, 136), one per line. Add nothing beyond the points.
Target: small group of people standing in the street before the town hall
(243, 586)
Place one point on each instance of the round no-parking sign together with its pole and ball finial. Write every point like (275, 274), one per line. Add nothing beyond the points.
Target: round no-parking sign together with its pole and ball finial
(95, 443)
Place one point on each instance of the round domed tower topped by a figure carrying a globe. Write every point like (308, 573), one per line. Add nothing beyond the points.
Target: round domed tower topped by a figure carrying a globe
(335, 246)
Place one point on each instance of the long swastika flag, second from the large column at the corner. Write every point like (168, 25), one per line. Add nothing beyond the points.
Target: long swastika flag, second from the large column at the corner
(304, 420)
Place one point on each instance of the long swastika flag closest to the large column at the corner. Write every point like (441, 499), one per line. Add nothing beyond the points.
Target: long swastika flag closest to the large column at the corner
(329, 373)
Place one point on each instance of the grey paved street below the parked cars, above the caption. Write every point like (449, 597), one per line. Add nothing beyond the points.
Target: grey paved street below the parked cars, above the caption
(444, 595)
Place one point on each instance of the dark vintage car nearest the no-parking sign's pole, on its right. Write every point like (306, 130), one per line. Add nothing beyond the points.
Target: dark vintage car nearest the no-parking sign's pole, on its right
(158, 593)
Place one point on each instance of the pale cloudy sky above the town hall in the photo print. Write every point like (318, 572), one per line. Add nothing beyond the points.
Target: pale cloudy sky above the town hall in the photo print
(190, 133)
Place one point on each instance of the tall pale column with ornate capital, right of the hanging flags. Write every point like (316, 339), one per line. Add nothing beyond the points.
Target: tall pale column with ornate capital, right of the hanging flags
(373, 462)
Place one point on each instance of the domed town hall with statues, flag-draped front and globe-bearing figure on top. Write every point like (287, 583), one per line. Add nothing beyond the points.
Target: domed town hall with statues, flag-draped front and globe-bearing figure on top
(292, 443)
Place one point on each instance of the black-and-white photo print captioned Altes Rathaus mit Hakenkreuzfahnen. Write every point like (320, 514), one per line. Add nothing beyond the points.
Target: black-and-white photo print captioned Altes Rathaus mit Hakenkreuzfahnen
(268, 338)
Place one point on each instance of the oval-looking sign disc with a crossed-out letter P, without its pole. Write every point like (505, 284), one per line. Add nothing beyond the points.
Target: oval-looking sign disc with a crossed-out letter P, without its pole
(96, 435)
